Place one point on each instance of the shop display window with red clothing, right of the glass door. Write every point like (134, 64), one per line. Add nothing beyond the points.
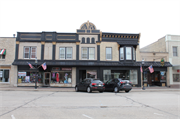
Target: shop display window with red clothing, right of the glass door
(61, 77)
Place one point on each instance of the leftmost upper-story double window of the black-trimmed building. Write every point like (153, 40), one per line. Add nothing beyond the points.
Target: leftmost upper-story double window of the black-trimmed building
(30, 52)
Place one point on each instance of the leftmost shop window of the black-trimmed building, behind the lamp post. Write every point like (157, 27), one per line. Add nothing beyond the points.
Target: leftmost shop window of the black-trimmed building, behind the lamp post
(29, 77)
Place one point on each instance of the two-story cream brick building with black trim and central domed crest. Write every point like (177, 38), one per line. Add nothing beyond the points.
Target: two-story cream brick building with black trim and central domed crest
(71, 57)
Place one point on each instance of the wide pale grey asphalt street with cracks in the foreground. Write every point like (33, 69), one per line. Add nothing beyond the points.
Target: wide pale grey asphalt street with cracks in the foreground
(95, 105)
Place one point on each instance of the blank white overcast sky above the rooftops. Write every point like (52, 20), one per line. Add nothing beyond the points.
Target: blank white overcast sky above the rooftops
(152, 18)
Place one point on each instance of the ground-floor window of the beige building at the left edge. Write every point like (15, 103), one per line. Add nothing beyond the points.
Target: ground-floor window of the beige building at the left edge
(4, 75)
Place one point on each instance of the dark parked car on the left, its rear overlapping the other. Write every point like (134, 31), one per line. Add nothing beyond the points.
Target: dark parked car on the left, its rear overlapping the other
(89, 85)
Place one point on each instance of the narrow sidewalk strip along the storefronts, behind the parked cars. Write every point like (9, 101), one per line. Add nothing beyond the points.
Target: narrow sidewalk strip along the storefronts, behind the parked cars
(71, 89)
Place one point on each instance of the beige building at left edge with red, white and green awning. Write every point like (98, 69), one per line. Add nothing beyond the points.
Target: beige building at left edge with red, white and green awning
(7, 56)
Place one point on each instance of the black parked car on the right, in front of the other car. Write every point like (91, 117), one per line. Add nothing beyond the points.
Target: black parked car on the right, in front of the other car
(117, 85)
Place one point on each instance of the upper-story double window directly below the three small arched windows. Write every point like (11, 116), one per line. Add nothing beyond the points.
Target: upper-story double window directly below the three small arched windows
(88, 53)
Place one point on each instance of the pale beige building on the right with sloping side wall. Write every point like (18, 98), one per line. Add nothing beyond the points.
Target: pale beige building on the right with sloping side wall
(168, 48)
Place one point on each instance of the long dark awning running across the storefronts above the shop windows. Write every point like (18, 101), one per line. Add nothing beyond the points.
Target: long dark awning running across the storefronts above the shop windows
(91, 63)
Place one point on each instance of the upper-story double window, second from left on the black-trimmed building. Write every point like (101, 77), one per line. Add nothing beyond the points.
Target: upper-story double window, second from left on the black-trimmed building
(65, 53)
